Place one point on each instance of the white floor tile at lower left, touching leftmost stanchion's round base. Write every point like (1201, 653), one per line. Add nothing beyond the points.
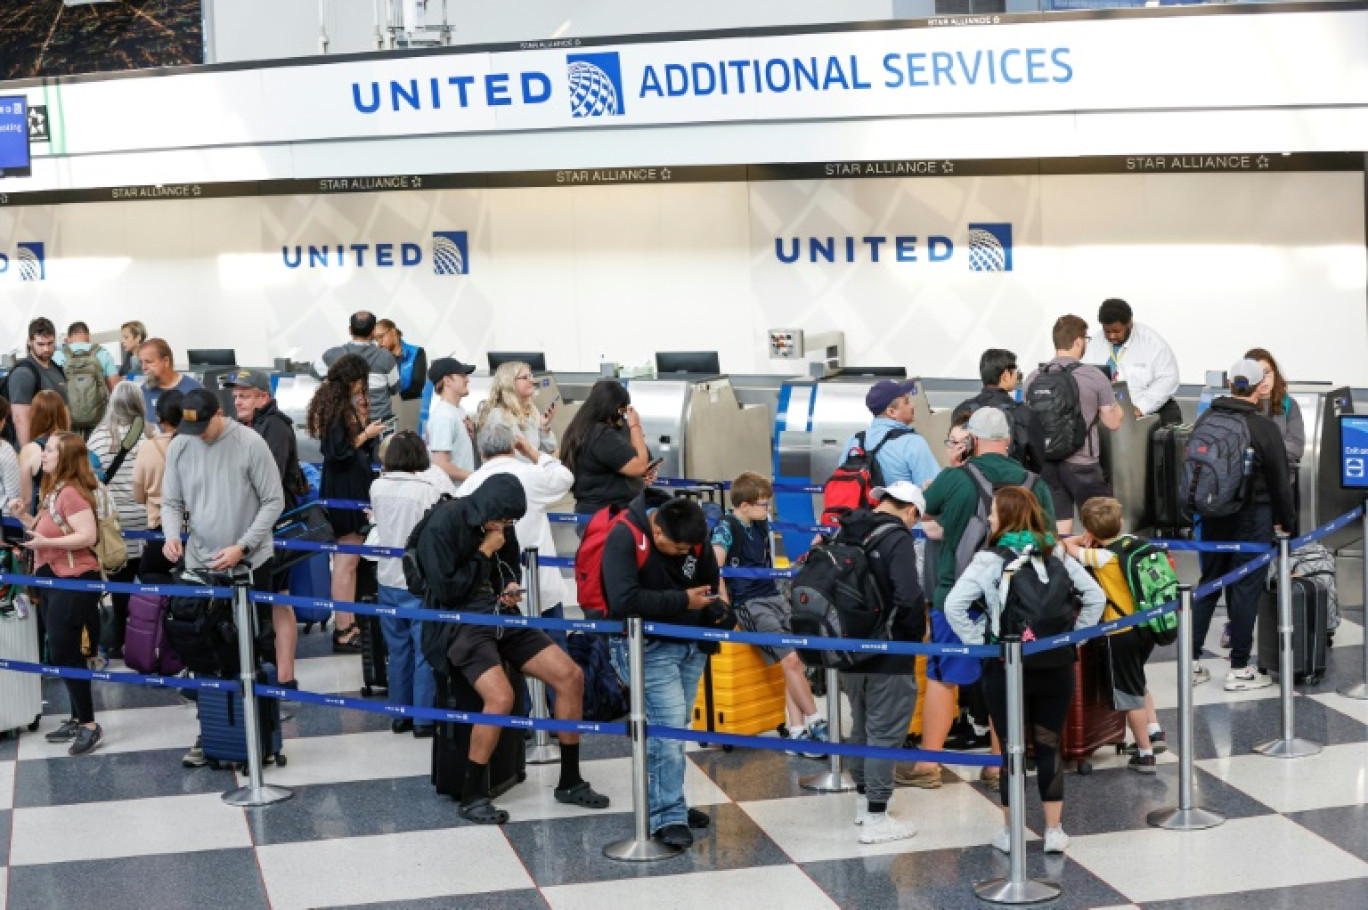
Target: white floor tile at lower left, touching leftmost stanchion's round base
(127, 829)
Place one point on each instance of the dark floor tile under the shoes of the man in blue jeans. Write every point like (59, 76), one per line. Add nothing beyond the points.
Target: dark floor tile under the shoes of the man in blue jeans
(571, 850)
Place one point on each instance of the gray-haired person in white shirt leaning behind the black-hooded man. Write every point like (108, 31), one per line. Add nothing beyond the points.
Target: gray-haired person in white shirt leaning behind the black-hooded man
(545, 481)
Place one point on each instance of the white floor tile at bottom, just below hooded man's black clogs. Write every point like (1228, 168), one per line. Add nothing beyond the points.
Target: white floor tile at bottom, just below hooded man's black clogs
(408, 867)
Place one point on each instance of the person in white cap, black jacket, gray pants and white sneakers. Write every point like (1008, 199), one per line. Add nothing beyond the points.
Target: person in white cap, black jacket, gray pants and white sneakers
(883, 690)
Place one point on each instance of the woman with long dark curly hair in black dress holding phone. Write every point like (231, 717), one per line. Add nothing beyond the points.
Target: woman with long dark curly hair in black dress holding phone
(337, 421)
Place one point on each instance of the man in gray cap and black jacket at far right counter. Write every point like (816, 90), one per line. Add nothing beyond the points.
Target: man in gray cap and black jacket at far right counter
(1267, 507)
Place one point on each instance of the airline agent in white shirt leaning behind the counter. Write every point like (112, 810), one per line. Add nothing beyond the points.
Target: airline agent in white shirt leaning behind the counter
(1140, 358)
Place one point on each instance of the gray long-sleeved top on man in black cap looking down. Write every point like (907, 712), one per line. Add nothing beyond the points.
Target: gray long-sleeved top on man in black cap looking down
(232, 491)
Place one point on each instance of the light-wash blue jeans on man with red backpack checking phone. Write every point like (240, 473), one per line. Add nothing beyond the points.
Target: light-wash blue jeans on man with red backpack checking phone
(672, 674)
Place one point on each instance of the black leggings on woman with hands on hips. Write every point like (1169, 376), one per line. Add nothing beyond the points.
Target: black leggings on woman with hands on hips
(1047, 696)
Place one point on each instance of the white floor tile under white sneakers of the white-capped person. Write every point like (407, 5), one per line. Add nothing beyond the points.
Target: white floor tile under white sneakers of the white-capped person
(817, 829)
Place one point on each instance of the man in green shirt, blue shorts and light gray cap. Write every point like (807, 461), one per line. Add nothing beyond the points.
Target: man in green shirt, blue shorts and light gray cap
(954, 500)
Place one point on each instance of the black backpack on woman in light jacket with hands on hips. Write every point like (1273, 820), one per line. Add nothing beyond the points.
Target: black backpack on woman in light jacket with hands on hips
(1036, 610)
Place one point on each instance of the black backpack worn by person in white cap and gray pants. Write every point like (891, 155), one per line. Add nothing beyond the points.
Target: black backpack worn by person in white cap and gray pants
(835, 596)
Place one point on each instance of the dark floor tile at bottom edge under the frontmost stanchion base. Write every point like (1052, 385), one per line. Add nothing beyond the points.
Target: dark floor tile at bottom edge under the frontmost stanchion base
(945, 879)
